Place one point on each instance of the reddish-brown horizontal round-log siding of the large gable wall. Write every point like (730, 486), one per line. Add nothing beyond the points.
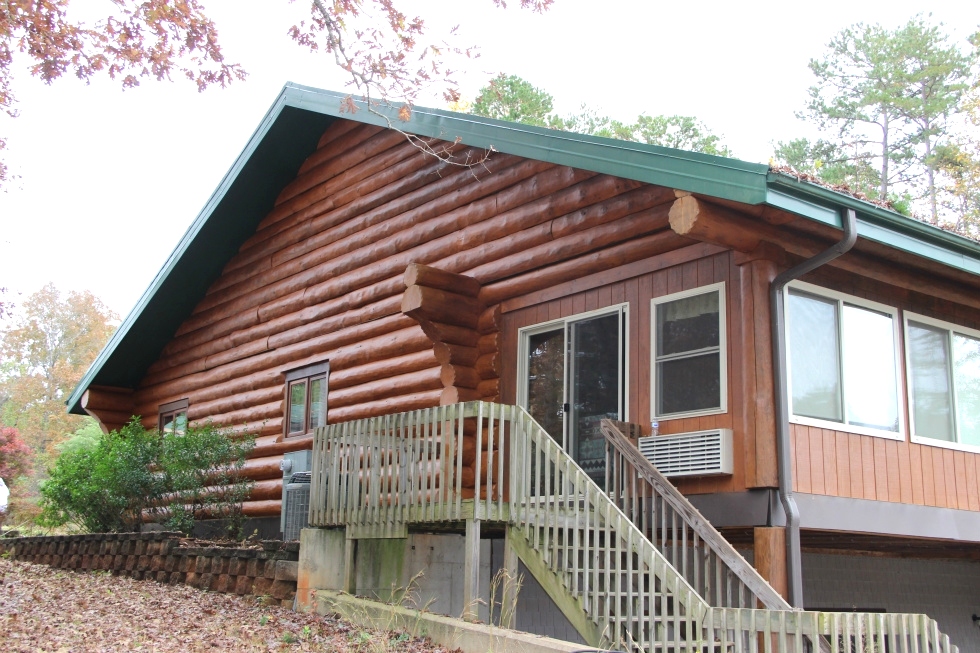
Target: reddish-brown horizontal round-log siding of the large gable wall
(323, 277)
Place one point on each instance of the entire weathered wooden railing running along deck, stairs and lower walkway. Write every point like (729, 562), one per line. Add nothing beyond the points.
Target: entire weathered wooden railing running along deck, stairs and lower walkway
(494, 462)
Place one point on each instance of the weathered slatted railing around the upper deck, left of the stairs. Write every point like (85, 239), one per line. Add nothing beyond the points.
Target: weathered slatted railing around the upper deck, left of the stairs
(385, 472)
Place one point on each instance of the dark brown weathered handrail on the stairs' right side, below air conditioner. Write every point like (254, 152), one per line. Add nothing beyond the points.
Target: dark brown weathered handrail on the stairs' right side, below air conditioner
(668, 492)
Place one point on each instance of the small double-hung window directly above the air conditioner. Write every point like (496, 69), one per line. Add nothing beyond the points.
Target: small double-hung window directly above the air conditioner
(690, 360)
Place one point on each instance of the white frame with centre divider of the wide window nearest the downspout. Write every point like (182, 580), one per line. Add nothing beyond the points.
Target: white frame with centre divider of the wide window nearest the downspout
(897, 354)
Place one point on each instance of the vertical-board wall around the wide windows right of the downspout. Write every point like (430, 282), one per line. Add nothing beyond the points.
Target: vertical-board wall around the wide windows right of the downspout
(836, 463)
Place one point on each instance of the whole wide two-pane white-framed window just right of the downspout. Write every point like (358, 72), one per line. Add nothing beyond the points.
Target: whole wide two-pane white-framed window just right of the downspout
(842, 362)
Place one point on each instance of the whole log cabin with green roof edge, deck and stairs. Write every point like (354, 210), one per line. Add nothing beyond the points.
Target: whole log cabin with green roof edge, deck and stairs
(663, 385)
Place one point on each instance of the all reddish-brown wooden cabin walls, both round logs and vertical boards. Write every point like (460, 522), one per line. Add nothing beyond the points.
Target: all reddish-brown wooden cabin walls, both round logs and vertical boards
(328, 276)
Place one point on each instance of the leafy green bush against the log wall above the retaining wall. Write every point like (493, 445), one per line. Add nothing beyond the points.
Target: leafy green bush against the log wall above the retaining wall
(113, 485)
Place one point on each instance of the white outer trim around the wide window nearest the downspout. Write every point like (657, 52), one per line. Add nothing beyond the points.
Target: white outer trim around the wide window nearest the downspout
(826, 293)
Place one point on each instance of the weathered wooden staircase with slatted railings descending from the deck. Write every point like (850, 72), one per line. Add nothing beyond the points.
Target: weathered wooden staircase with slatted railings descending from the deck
(604, 560)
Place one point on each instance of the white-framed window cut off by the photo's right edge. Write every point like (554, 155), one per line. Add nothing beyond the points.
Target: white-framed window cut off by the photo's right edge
(944, 382)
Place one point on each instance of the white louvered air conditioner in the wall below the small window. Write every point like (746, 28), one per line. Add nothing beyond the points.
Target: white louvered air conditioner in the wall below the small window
(699, 453)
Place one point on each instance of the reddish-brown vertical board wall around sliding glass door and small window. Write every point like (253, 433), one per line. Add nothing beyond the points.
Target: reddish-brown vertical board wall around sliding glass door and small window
(632, 286)
